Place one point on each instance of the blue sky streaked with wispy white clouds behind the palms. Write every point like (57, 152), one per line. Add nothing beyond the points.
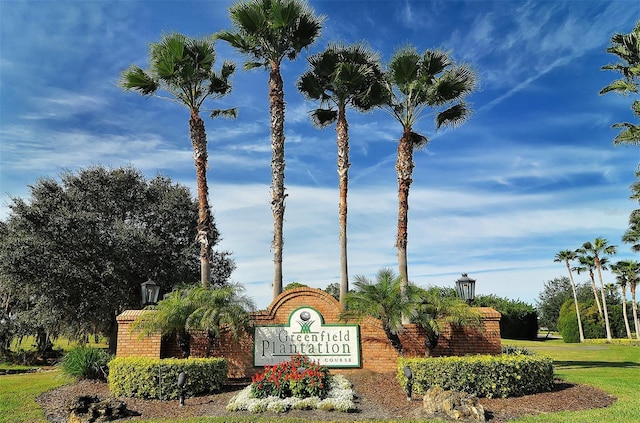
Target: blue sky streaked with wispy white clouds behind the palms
(531, 173)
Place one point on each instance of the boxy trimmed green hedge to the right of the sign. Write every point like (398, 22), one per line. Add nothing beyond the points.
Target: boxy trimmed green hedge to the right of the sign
(507, 375)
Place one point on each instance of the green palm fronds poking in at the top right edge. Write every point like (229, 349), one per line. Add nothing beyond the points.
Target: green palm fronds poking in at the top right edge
(627, 48)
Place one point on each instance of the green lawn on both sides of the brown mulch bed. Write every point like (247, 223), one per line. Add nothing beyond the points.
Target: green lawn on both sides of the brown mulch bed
(612, 368)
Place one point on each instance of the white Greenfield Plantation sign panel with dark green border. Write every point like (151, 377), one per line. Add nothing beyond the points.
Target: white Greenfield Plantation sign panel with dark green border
(331, 345)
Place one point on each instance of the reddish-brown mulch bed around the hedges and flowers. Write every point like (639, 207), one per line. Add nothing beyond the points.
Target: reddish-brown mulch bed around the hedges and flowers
(379, 396)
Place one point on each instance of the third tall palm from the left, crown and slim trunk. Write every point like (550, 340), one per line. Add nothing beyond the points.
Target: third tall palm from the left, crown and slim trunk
(342, 77)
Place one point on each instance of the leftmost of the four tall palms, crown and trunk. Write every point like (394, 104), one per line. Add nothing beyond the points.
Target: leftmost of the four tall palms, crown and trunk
(183, 67)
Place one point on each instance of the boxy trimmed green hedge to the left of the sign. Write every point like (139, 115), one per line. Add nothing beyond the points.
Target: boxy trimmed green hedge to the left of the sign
(141, 377)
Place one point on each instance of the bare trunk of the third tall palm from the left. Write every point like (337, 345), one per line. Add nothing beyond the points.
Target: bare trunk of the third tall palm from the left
(342, 129)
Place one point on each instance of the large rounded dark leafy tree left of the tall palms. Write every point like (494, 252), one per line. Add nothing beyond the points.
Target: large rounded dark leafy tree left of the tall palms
(74, 255)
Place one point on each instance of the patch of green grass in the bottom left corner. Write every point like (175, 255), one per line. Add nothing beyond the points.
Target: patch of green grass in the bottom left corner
(18, 393)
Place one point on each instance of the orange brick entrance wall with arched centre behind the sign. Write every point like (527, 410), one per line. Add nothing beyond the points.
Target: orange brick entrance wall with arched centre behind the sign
(376, 352)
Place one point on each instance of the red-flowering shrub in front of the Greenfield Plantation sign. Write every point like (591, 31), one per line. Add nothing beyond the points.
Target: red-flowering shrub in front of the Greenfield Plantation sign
(299, 377)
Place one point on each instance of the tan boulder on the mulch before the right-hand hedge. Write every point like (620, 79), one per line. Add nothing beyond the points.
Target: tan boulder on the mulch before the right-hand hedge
(456, 405)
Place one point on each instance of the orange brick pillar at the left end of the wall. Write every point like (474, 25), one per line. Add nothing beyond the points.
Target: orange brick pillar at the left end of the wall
(130, 343)
